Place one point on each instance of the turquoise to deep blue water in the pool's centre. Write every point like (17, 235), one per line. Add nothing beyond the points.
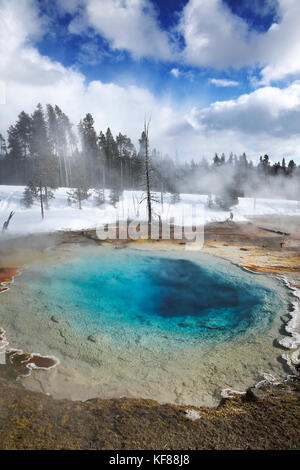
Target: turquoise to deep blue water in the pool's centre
(142, 292)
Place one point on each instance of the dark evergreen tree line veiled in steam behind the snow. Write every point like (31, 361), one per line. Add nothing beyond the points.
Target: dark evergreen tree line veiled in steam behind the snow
(43, 152)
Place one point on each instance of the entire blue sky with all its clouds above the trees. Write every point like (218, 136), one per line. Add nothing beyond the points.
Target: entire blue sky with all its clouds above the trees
(215, 75)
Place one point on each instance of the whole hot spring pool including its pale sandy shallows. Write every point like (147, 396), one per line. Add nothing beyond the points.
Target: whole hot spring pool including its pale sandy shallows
(175, 327)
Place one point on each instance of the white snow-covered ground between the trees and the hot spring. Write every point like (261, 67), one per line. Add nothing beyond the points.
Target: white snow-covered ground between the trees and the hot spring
(61, 216)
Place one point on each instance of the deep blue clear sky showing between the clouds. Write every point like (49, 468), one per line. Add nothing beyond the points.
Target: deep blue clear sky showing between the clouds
(91, 53)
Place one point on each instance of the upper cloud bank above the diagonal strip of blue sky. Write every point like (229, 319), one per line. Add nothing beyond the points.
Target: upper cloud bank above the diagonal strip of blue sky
(213, 35)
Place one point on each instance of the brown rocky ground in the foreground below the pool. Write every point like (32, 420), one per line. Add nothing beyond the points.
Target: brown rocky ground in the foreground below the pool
(259, 420)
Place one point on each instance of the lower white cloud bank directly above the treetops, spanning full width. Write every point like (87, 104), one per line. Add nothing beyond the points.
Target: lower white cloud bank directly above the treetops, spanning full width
(262, 121)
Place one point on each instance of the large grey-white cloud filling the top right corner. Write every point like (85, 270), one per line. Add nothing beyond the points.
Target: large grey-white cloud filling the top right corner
(215, 37)
